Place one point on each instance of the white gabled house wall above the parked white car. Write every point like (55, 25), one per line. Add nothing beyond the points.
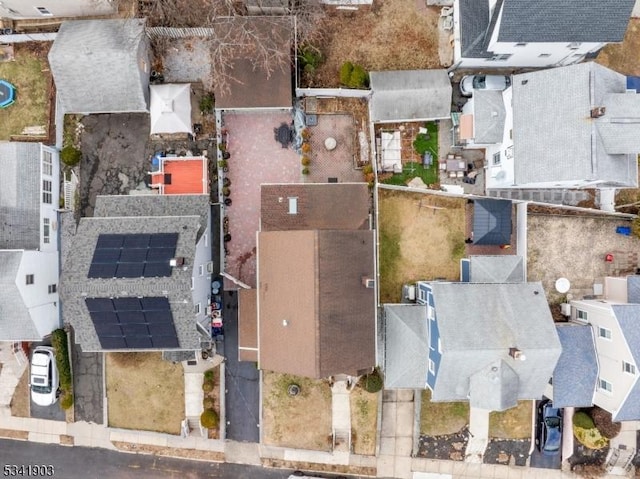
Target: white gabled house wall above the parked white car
(43, 306)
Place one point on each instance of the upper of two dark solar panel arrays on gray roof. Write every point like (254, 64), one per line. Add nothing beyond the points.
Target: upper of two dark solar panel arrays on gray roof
(133, 255)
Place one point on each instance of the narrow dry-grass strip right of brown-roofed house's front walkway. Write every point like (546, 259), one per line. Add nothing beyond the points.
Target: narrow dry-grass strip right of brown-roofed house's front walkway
(364, 421)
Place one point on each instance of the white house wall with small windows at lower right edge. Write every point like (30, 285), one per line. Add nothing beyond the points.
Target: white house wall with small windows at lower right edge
(611, 353)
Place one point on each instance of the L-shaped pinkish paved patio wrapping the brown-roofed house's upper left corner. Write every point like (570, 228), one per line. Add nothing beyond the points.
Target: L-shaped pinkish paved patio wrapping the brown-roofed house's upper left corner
(256, 158)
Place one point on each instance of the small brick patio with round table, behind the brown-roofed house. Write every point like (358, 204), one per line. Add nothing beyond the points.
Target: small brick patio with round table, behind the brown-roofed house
(337, 163)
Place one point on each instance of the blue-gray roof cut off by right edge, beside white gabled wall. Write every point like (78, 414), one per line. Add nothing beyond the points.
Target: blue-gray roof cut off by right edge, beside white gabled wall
(628, 316)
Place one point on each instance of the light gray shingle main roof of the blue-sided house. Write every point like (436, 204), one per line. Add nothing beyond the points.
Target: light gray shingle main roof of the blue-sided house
(478, 323)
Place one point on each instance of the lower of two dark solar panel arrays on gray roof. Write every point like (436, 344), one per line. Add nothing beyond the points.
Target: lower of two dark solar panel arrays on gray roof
(133, 323)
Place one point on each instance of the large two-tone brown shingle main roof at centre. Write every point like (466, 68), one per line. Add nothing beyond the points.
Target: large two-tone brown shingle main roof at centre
(312, 303)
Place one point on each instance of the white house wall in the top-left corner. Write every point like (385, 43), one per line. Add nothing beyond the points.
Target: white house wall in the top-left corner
(22, 9)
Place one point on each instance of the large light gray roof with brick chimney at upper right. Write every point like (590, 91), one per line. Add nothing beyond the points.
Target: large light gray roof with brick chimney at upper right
(550, 113)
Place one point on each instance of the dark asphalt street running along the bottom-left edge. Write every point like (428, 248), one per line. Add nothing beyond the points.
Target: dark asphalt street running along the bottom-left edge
(90, 463)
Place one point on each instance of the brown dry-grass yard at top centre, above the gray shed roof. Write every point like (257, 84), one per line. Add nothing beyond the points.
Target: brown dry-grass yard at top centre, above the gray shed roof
(392, 35)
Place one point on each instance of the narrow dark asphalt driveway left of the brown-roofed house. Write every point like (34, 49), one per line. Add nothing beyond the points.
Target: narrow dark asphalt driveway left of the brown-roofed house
(242, 381)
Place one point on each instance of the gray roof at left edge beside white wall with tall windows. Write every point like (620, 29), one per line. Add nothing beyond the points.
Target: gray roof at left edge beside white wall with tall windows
(20, 195)
